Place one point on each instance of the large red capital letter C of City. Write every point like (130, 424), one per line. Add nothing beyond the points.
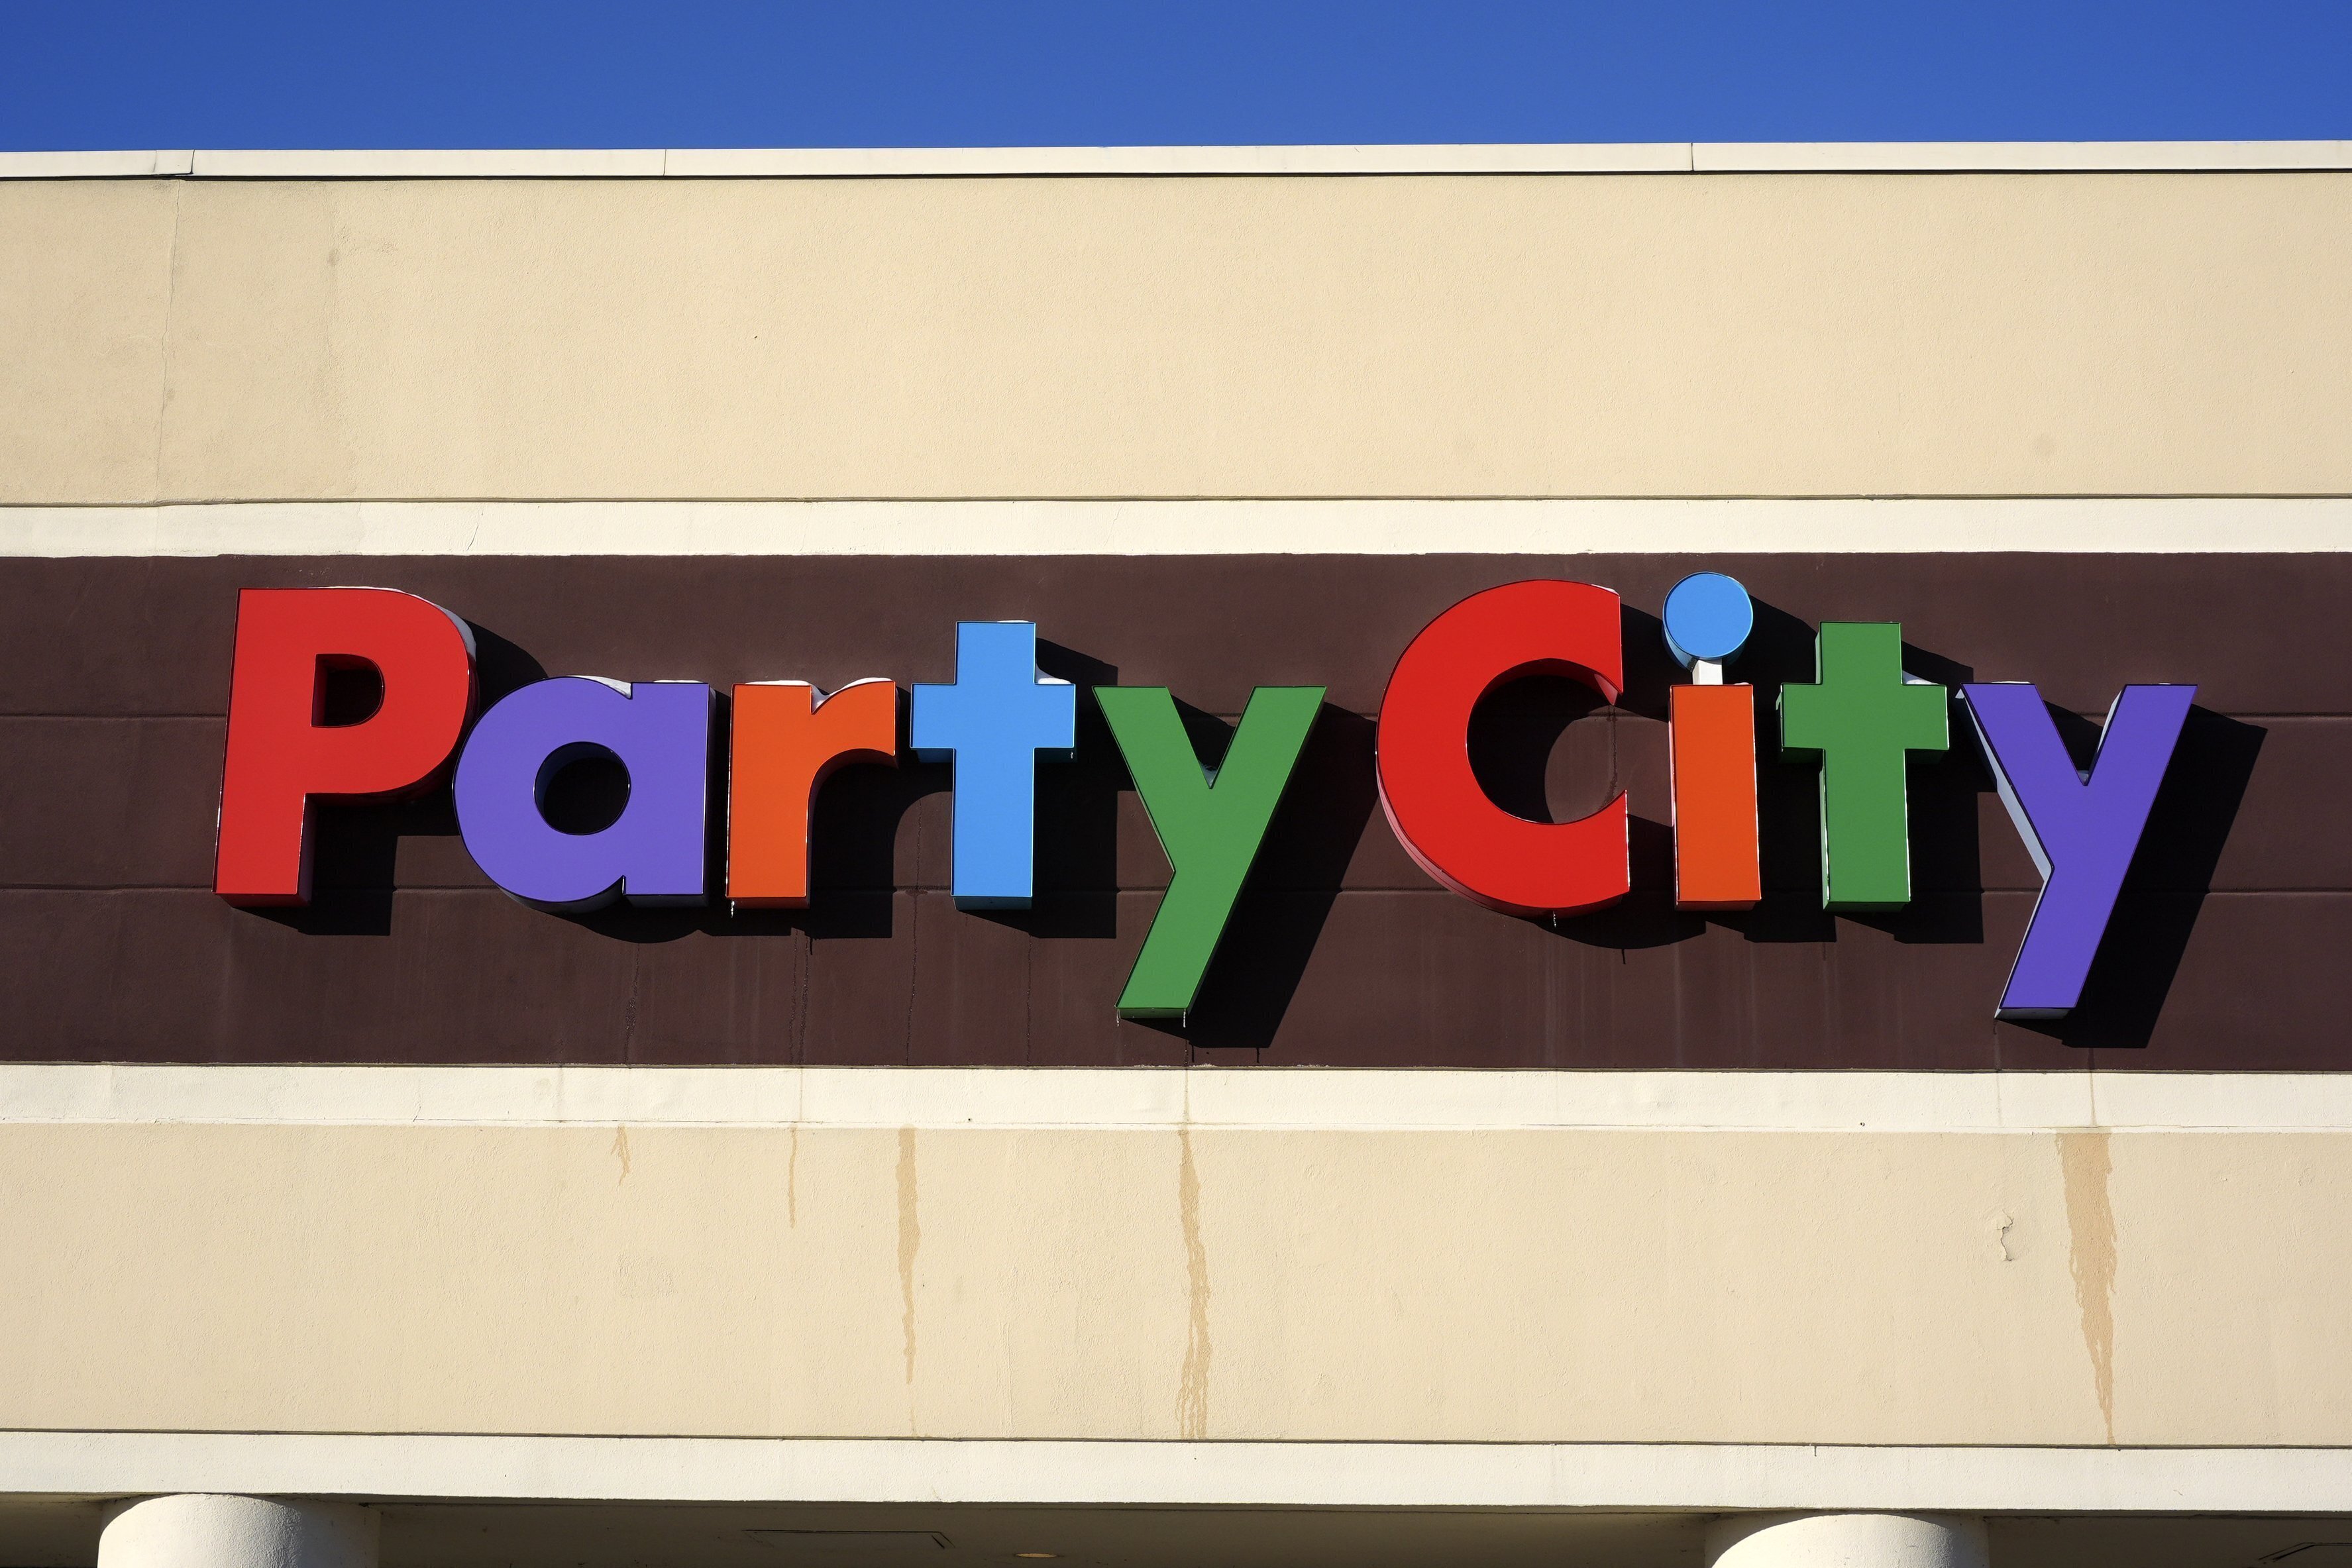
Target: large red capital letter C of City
(1436, 803)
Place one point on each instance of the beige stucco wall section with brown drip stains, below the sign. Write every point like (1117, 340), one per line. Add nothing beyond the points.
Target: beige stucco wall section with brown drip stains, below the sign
(1154, 1285)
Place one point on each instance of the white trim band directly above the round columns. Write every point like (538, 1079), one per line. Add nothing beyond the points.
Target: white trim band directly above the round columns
(1177, 1475)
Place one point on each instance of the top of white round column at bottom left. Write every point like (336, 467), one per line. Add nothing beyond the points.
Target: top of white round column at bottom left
(215, 1532)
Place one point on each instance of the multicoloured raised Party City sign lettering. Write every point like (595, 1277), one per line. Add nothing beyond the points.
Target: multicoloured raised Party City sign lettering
(1001, 721)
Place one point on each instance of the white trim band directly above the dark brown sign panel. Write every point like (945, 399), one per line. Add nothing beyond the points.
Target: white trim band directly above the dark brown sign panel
(1182, 528)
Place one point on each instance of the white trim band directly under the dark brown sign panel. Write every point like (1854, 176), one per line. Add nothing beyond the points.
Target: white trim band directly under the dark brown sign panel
(1165, 1099)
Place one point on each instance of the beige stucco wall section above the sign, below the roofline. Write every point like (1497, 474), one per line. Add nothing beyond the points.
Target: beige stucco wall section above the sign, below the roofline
(1177, 337)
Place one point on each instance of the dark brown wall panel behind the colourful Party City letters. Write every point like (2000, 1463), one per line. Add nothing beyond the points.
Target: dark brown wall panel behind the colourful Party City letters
(2224, 953)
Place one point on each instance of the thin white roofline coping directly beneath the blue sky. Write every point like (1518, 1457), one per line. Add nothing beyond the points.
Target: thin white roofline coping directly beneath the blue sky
(1196, 161)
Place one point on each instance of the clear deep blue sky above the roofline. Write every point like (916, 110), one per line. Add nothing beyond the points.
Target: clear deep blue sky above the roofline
(488, 74)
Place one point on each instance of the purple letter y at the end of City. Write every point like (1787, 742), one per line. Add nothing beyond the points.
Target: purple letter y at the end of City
(2078, 826)
